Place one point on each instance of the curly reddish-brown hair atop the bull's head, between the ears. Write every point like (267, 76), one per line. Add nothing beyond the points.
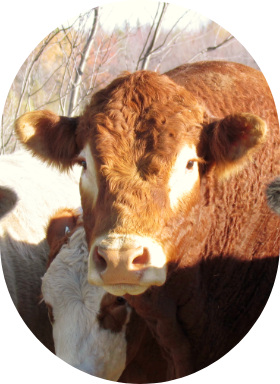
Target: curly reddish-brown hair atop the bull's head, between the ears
(141, 105)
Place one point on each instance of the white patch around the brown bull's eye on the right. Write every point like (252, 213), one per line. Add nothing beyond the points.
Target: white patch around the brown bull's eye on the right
(182, 180)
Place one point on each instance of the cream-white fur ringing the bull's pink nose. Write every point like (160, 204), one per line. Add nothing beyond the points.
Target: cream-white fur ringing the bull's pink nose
(137, 279)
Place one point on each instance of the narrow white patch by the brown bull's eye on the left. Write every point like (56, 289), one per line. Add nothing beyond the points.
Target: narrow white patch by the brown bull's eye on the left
(89, 177)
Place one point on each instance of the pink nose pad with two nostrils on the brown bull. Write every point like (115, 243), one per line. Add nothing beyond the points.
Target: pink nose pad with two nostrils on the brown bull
(117, 266)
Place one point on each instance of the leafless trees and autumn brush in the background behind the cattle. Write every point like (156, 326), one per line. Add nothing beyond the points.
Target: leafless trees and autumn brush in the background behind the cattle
(80, 57)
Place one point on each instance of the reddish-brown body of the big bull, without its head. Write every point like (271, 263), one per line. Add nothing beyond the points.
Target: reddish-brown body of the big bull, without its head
(229, 264)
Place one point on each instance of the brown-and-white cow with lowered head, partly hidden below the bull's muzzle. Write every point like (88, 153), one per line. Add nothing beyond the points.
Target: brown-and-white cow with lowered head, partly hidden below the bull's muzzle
(94, 331)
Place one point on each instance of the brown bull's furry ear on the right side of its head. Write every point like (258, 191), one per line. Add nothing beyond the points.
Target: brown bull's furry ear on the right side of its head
(229, 143)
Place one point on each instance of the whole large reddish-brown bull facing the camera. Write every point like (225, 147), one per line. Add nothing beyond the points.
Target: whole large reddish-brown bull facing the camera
(175, 168)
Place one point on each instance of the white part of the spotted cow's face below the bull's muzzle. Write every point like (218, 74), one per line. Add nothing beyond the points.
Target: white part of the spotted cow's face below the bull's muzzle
(78, 339)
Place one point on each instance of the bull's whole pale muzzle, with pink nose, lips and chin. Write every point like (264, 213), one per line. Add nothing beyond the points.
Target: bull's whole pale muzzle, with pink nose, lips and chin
(126, 264)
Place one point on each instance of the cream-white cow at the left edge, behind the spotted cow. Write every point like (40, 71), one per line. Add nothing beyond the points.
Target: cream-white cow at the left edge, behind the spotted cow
(29, 194)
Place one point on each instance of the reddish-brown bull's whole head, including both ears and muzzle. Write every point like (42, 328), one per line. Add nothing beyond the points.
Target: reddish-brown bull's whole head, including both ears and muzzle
(140, 142)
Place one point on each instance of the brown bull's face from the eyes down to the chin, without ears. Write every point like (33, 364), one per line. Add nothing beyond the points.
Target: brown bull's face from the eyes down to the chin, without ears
(126, 216)
